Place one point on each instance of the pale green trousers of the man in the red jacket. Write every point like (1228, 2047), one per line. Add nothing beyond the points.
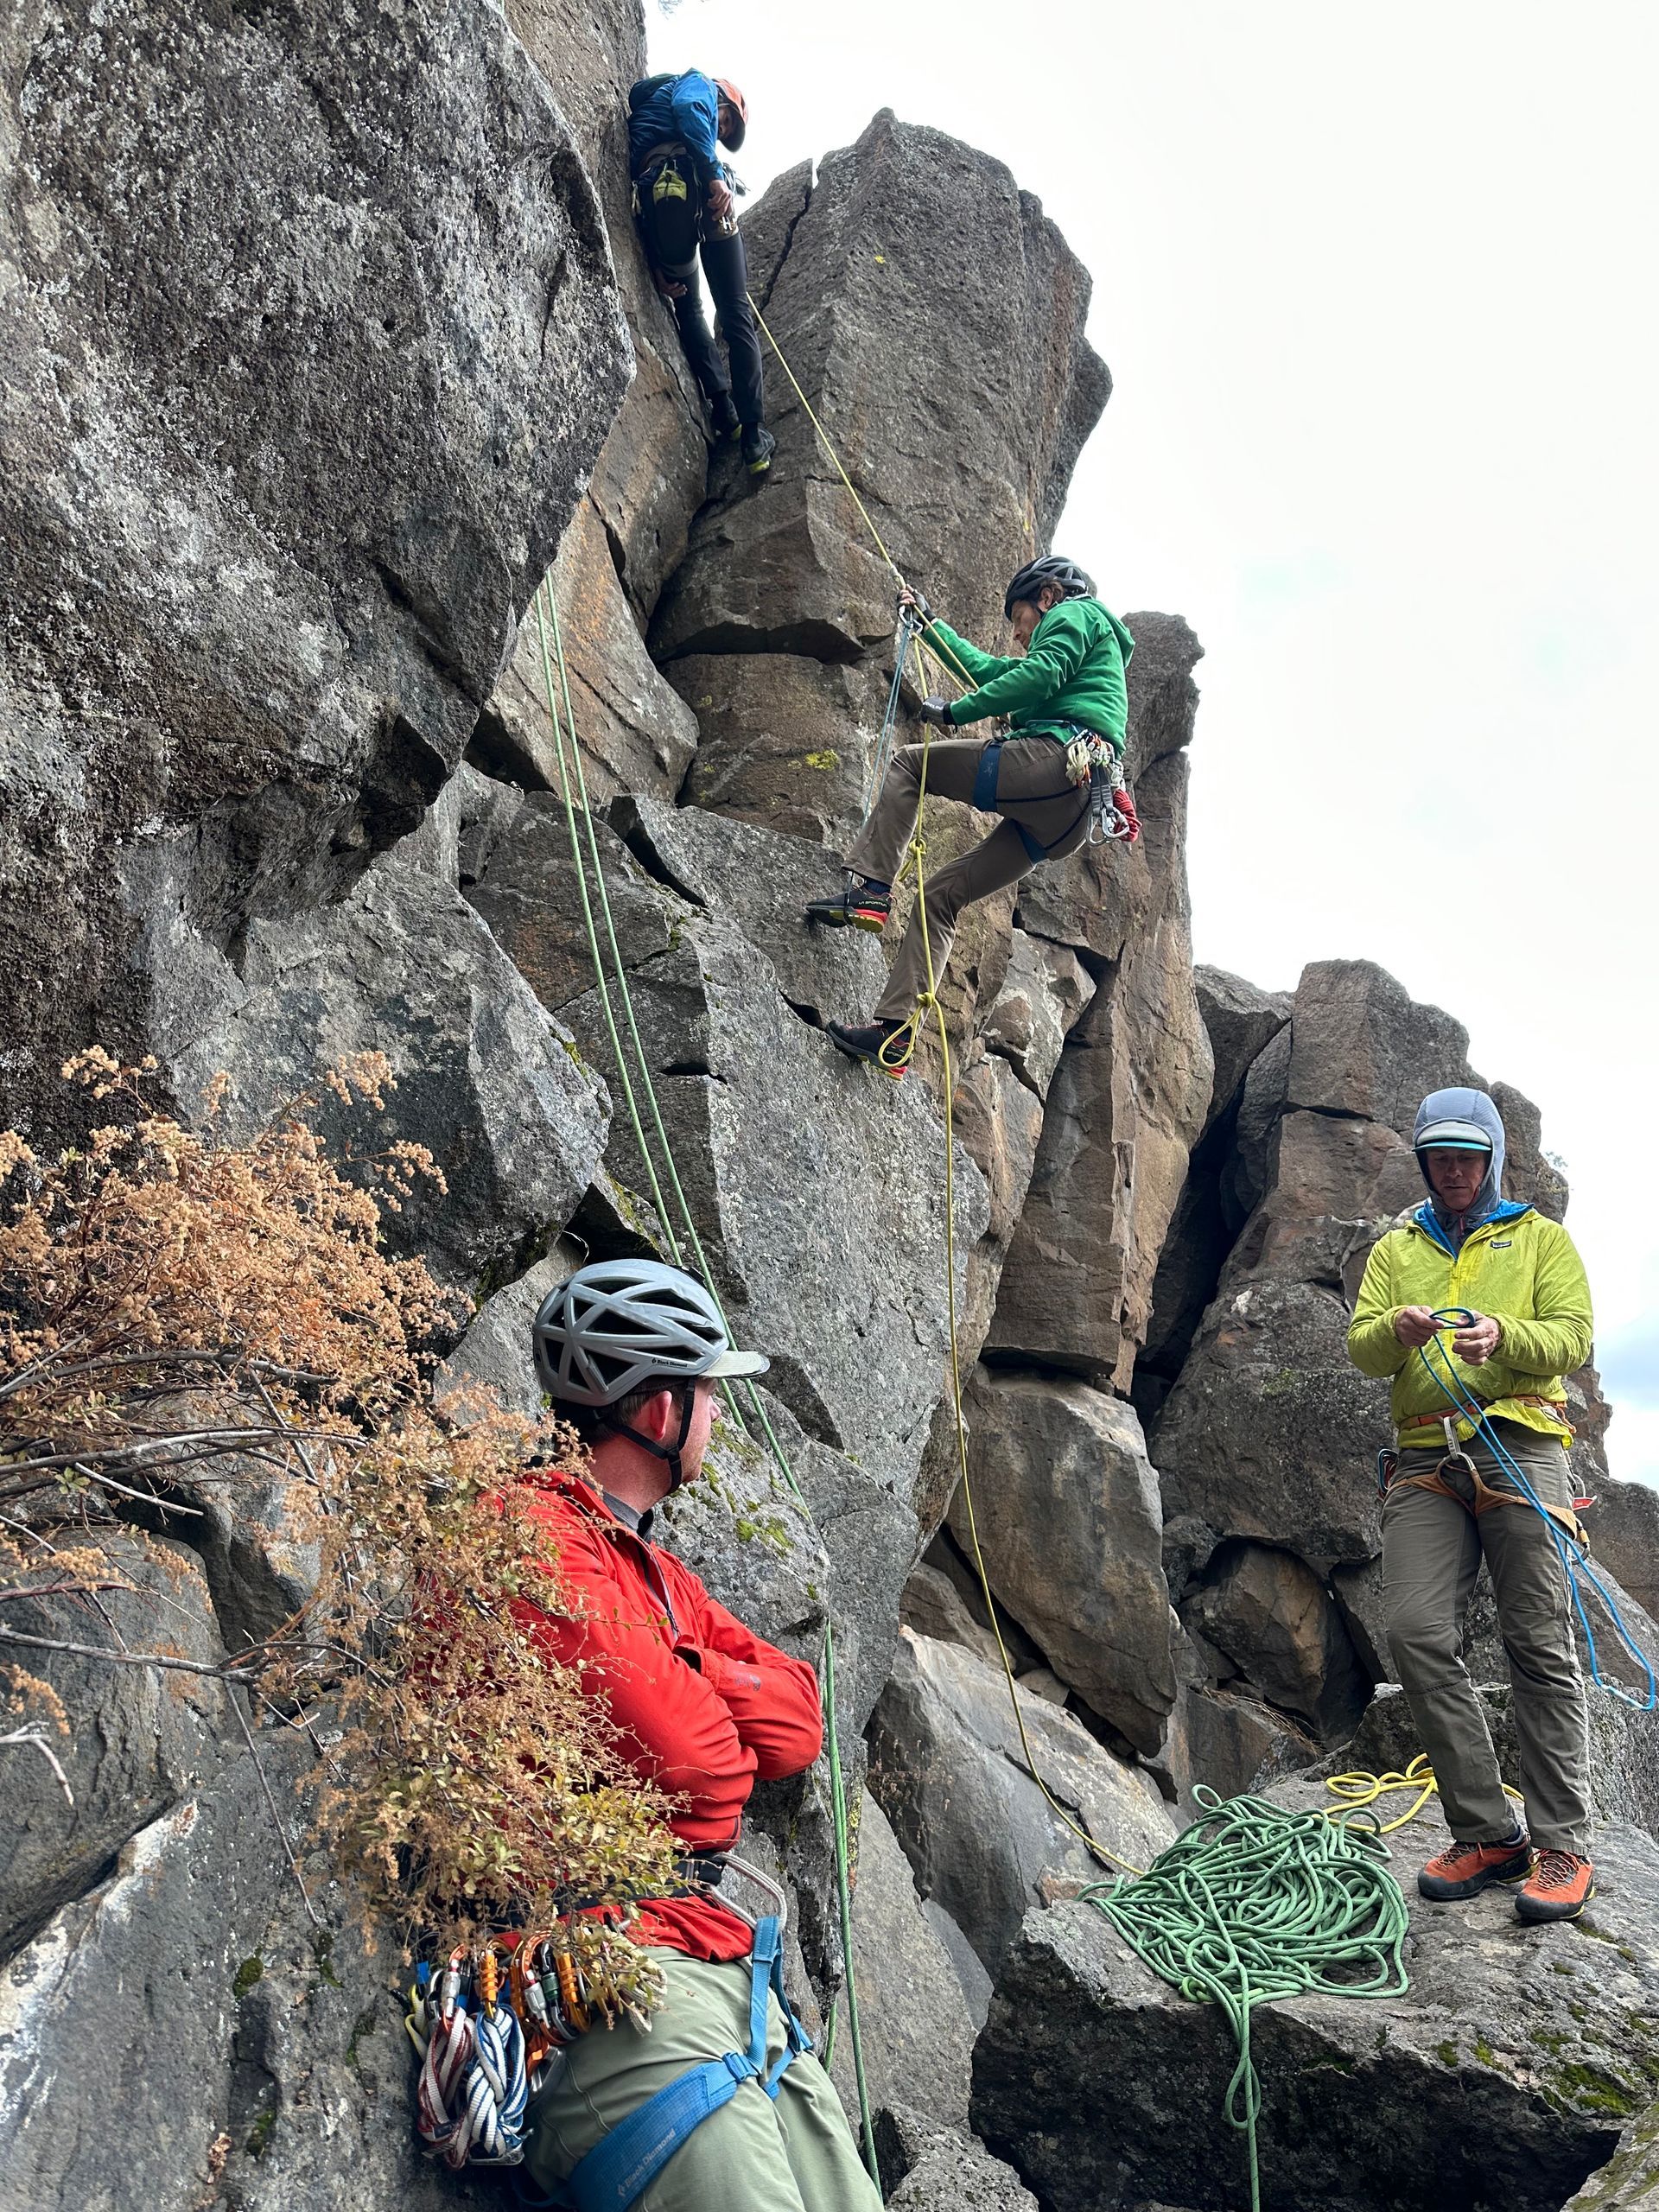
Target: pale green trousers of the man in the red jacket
(793, 2153)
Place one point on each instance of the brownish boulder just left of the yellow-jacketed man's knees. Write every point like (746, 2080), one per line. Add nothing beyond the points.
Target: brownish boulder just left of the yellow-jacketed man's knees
(1282, 1629)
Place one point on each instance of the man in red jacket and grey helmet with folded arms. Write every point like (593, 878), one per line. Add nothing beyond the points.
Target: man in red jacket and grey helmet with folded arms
(632, 1353)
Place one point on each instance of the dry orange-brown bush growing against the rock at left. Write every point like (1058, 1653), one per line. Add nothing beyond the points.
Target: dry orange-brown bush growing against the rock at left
(185, 1315)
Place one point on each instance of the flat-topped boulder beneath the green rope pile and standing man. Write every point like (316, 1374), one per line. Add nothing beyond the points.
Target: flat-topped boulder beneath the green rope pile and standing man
(1501, 2076)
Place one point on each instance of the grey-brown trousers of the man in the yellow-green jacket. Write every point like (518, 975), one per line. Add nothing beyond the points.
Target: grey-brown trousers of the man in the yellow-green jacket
(1432, 1552)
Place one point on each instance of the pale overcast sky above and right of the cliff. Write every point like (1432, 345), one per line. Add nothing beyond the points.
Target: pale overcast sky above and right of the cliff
(1377, 295)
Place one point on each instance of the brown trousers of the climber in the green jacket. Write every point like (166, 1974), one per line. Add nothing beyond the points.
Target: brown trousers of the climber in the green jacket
(1032, 793)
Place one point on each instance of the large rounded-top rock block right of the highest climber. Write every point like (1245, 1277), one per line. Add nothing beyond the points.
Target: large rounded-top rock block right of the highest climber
(866, 280)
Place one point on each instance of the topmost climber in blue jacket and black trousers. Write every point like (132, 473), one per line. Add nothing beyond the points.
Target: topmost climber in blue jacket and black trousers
(682, 196)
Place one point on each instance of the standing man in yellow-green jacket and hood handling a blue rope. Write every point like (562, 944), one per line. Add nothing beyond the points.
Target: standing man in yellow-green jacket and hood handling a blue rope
(1450, 1501)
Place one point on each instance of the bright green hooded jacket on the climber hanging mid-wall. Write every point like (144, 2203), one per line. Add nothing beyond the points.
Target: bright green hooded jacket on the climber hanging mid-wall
(1072, 674)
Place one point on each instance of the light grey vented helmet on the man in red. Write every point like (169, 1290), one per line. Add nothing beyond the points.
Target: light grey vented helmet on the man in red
(620, 1324)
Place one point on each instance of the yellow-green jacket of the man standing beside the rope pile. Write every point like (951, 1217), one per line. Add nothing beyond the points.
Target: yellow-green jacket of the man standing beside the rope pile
(1525, 1273)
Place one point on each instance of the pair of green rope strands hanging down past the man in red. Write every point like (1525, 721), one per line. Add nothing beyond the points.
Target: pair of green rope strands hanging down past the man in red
(749, 1410)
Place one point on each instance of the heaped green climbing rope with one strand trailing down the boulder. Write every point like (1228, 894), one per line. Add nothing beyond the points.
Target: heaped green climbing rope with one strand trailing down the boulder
(1258, 1903)
